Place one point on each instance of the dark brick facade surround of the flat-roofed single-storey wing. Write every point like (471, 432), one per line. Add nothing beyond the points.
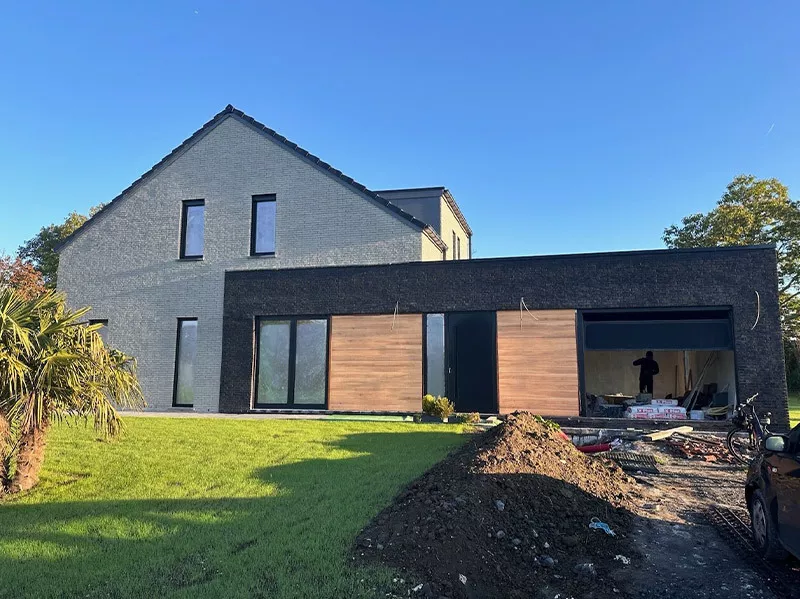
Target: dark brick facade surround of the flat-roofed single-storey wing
(665, 278)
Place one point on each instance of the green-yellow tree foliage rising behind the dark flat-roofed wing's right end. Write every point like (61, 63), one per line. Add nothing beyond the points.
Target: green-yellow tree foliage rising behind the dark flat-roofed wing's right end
(753, 211)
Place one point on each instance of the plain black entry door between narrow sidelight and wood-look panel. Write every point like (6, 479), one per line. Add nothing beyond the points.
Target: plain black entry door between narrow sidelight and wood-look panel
(471, 361)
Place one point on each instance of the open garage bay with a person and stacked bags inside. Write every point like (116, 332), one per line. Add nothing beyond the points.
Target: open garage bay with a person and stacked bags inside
(693, 350)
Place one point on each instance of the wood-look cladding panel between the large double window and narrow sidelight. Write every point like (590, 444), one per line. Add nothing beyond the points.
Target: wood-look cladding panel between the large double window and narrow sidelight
(376, 363)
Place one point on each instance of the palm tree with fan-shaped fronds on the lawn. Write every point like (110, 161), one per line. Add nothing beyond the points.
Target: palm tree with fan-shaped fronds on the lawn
(52, 367)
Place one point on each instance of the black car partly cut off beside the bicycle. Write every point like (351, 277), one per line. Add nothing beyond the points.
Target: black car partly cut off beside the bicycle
(773, 496)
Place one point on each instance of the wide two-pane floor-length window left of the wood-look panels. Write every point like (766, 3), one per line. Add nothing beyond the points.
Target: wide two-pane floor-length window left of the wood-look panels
(292, 363)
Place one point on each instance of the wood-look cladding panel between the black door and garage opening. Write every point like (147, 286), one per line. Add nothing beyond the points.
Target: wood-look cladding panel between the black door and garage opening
(537, 362)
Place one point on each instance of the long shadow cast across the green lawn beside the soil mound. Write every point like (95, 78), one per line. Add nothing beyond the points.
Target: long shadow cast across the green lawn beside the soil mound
(293, 543)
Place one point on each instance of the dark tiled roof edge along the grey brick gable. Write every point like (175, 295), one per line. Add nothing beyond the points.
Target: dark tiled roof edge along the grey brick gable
(230, 111)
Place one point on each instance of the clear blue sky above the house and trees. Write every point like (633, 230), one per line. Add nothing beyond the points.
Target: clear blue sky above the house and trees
(558, 126)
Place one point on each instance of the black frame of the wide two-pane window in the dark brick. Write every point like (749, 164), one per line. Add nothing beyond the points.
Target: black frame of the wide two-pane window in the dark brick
(290, 405)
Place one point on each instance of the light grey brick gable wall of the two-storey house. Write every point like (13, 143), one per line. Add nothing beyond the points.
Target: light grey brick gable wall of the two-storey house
(126, 264)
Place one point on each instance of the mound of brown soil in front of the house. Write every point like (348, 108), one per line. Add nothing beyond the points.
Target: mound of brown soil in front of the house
(508, 516)
